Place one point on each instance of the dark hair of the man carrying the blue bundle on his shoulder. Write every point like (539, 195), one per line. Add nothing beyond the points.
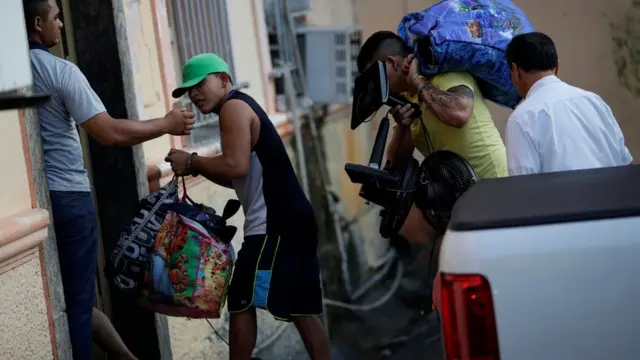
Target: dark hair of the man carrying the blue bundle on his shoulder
(379, 46)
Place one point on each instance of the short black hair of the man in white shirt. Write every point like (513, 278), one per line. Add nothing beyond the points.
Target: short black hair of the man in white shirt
(532, 51)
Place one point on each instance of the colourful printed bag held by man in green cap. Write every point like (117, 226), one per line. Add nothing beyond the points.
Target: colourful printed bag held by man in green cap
(191, 262)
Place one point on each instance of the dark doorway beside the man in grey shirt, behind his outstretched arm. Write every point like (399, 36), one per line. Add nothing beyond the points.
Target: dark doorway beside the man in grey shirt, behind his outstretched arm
(118, 176)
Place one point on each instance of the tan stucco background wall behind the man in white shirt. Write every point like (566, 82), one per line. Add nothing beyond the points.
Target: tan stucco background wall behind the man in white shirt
(597, 43)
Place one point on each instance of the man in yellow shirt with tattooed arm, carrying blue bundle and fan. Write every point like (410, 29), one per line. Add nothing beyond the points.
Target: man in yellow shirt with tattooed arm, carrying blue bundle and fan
(454, 117)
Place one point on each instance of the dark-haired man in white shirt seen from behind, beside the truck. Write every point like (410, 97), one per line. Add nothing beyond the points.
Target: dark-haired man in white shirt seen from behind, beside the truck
(557, 126)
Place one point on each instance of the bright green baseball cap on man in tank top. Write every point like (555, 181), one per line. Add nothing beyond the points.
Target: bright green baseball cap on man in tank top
(197, 68)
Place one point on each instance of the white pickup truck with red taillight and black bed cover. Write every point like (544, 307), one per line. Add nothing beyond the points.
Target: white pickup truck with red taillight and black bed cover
(544, 267)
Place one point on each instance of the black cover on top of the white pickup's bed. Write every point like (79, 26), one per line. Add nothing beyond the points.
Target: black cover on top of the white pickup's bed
(549, 199)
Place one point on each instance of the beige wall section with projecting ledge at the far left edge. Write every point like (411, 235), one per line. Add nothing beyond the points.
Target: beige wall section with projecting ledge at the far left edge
(25, 315)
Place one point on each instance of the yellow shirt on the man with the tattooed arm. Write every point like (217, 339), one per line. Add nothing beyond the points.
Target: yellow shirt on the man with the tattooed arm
(479, 141)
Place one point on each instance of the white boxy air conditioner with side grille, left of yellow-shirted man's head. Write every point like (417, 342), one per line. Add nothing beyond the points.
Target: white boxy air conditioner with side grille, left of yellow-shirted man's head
(329, 55)
